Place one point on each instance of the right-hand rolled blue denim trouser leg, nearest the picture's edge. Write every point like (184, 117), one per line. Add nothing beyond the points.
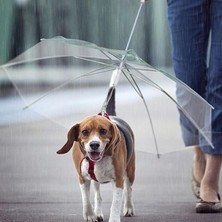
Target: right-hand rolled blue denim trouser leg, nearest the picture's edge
(214, 78)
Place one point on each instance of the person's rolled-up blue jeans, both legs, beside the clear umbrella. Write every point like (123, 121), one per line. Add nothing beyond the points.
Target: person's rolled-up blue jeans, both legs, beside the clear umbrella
(191, 22)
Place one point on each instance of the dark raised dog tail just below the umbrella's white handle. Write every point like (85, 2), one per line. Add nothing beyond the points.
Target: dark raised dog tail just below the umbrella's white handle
(111, 104)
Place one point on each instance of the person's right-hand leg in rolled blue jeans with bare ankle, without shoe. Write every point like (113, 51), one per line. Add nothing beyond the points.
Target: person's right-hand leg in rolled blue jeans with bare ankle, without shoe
(210, 182)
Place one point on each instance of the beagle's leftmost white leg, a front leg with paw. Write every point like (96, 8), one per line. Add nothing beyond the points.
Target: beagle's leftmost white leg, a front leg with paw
(88, 213)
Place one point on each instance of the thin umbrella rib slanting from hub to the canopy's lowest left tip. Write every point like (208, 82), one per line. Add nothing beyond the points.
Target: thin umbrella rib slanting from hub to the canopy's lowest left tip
(65, 83)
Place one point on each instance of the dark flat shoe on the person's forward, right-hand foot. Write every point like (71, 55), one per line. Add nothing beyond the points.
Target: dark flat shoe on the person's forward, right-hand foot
(209, 207)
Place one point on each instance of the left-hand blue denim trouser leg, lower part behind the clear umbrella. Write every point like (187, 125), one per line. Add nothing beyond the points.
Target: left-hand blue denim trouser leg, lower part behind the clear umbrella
(189, 27)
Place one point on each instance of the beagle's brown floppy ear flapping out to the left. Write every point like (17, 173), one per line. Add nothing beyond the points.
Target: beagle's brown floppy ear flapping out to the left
(71, 137)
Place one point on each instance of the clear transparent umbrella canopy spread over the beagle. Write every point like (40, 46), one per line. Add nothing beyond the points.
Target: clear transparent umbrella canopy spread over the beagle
(73, 77)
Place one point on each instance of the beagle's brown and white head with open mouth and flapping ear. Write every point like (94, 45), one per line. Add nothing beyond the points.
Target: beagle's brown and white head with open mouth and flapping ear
(96, 135)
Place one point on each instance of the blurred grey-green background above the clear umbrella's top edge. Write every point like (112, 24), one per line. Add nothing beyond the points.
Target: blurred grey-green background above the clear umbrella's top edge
(106, 23)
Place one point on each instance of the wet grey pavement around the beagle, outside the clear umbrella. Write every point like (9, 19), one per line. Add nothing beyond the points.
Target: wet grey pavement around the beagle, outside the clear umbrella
(37, 185)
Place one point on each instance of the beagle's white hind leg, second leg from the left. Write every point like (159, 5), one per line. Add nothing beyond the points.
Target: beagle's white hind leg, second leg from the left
(98, 202)
